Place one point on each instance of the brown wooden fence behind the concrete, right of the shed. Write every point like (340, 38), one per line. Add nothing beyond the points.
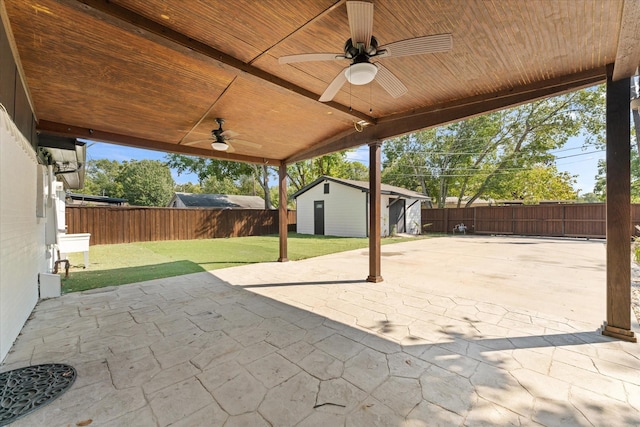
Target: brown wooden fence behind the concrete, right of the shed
(578, 220)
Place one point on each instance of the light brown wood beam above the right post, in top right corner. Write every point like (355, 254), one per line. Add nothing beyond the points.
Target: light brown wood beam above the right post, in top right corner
(628, 52)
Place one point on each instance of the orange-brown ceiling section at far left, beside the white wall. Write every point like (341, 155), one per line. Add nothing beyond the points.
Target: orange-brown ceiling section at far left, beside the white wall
(97, 73)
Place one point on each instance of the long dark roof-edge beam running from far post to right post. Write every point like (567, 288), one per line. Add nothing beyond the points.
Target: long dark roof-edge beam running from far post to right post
(448, 112)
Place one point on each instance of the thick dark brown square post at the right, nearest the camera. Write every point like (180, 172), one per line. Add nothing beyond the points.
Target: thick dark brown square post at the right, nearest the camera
(618, 323)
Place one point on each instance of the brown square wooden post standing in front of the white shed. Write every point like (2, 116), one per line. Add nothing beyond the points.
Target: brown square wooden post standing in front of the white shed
(374, 212)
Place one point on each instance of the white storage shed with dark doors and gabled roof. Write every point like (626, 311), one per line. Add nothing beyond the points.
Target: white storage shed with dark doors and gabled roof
(340, 207)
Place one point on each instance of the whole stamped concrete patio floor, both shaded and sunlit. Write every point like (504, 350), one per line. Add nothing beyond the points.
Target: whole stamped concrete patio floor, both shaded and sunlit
(463, 331)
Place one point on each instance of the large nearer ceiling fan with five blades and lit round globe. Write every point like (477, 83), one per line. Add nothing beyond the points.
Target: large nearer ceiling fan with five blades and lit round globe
(363, 46)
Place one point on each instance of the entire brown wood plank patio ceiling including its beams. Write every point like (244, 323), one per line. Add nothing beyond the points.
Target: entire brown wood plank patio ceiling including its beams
(156, 74)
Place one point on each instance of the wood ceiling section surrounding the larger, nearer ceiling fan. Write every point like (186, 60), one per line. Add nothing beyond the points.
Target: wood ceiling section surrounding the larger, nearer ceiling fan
(496, 45)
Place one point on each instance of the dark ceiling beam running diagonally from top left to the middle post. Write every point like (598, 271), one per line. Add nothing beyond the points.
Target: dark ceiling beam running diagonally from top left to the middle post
(223, 60)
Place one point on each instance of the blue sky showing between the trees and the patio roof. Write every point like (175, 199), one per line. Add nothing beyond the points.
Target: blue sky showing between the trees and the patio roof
(572, 159)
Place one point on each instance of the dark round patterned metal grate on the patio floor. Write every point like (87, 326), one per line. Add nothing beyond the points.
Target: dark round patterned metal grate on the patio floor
(26, 389)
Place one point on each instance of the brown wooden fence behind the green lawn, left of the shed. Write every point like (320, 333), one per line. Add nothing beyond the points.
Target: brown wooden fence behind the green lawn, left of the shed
(127, 224)
